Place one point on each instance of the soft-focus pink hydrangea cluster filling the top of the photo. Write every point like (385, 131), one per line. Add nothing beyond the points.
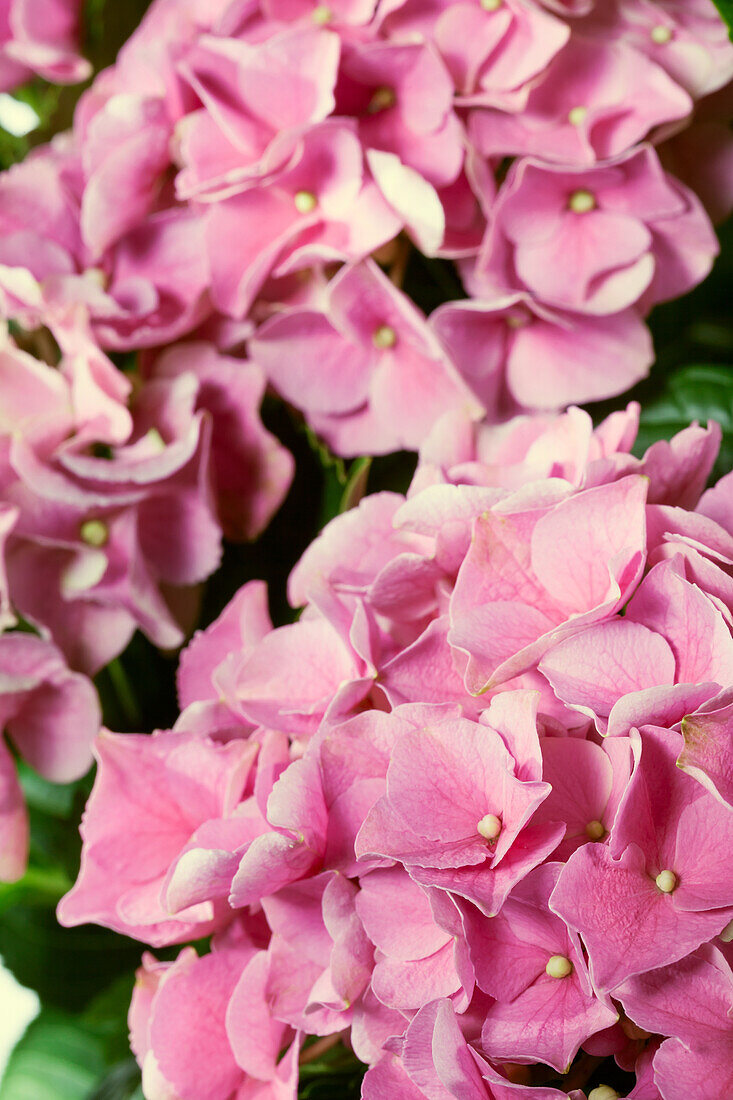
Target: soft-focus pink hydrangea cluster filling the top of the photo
(235, 174)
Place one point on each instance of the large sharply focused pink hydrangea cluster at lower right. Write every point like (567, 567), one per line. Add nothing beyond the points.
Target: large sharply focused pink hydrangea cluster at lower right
(473, 812)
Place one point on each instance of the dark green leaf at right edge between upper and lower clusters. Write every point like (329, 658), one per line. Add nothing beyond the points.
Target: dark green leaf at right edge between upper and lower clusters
(694, 393)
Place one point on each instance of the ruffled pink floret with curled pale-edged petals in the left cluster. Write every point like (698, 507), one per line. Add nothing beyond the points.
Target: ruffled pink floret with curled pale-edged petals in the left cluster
(107, 534)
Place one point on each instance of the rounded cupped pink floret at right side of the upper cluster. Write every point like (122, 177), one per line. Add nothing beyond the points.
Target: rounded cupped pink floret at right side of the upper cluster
(598, 240)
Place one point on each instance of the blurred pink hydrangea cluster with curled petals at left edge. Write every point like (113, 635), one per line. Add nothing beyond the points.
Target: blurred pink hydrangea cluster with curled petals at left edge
(115, 497)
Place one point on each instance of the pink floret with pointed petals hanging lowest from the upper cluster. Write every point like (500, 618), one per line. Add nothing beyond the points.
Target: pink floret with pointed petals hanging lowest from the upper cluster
(369, 373)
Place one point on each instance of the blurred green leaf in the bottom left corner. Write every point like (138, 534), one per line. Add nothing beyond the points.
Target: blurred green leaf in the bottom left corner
(56, 1060)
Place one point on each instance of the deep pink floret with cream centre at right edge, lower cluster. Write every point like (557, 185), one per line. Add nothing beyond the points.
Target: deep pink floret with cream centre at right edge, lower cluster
(665, 870)
